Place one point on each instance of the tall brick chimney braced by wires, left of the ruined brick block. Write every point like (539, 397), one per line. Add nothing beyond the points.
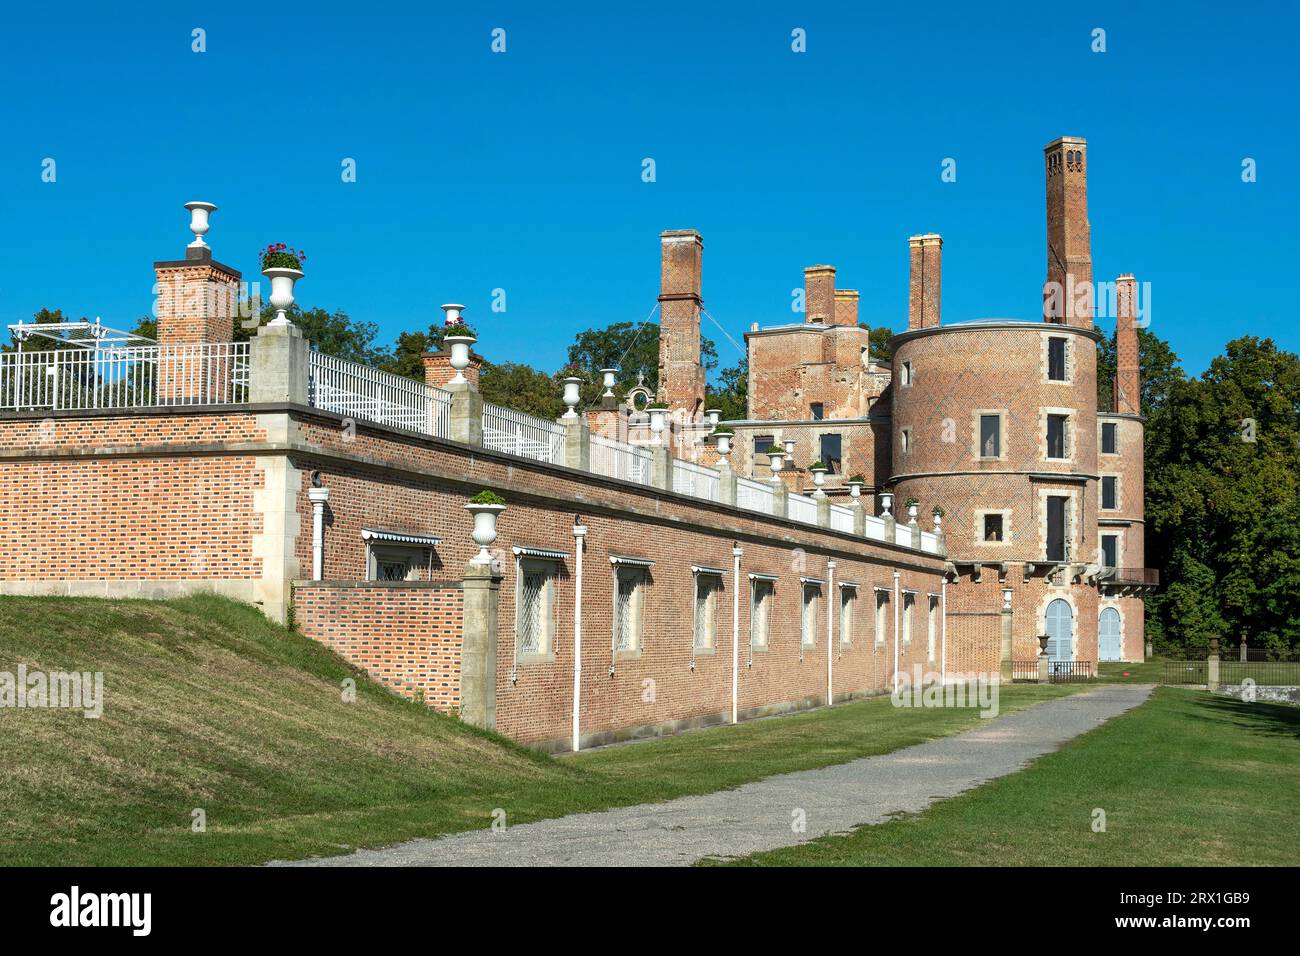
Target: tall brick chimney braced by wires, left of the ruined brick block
(682, 378)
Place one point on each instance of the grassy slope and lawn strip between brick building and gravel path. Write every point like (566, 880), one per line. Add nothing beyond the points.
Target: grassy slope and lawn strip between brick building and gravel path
(210, 707)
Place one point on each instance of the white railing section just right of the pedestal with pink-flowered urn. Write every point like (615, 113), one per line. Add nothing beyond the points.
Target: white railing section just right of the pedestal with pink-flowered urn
(361, 392)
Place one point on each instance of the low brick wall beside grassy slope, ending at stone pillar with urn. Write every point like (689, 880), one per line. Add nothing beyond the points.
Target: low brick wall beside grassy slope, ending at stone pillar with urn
(405, 637)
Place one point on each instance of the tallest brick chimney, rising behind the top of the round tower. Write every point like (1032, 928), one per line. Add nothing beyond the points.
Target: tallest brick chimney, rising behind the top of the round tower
(1068, 292)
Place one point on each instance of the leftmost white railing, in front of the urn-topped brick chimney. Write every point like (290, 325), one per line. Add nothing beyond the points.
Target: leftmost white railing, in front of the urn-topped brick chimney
(125, 377)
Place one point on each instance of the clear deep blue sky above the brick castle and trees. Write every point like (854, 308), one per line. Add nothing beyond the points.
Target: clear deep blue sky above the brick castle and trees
(523, 171)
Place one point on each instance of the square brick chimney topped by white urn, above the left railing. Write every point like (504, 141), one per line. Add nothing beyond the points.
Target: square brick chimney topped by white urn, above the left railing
(197, 296)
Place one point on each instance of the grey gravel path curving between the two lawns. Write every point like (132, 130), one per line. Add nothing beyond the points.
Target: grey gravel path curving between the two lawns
(761, 816)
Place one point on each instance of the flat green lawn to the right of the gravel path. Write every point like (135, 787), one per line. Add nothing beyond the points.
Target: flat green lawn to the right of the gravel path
(1186, 780)
